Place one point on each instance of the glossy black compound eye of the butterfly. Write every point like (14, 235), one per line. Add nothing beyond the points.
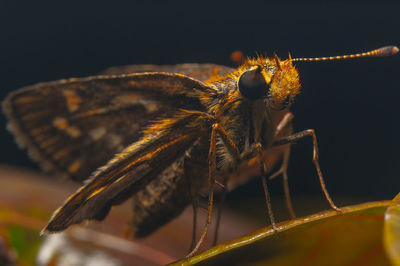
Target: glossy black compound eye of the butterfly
(252, 84)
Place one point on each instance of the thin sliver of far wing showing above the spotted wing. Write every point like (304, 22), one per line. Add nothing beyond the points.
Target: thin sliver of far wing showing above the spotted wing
(201, 72)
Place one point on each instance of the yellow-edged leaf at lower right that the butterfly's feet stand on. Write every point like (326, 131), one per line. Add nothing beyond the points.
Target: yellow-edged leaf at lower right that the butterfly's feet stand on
(354, 237)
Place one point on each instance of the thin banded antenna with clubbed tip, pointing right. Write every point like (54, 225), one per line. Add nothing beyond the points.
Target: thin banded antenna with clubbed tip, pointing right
(383, 51)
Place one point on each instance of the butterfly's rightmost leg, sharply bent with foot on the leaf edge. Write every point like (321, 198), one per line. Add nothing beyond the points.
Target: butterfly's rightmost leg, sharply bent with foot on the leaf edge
(300, 135)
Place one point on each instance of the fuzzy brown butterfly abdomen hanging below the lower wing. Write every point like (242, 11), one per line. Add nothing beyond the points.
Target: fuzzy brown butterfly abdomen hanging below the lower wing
(165, 197)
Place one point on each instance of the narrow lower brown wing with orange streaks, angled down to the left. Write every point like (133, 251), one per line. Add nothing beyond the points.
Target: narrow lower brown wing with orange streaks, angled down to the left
(127, 173)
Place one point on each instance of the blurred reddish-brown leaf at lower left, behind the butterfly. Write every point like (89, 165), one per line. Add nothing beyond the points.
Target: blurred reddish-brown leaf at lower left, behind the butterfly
(27, 200)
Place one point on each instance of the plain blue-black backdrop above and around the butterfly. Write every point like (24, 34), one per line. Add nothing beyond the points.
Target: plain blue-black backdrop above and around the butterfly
(352, 105)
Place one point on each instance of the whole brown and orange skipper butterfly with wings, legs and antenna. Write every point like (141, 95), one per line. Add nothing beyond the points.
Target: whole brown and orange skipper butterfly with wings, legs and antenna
(159, 135)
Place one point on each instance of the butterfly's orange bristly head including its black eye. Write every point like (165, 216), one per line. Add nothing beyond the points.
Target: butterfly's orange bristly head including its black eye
(271, 79)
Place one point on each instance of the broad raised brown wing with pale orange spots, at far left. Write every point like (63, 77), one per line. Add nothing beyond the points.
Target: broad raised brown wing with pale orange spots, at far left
(74, 126)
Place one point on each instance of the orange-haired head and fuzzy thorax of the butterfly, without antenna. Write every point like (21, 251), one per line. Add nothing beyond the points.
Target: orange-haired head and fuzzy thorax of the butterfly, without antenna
(246, 101)
